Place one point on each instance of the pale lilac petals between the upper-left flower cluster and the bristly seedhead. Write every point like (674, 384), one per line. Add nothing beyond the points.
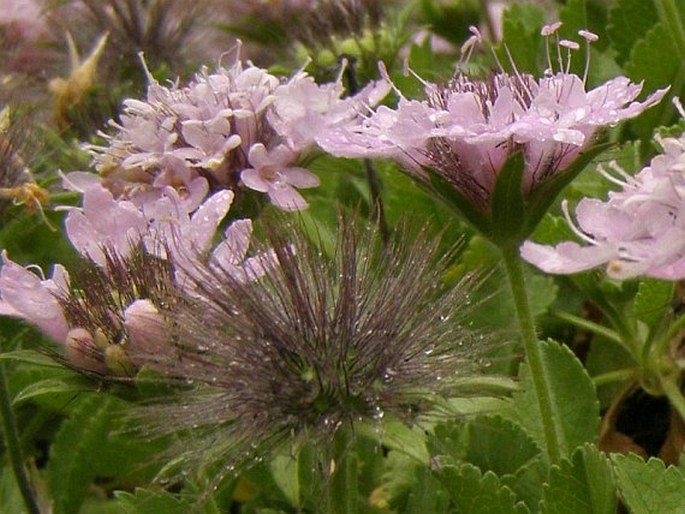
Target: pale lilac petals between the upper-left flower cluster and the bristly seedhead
(104, 226)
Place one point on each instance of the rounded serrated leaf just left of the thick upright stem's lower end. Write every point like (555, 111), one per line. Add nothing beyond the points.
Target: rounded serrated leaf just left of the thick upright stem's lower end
(498, 445)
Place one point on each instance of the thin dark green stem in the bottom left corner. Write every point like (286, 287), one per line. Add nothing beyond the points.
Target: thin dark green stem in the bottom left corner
(9, 429)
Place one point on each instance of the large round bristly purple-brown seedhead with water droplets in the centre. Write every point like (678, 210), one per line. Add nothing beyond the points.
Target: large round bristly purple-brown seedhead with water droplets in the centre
(318, 344)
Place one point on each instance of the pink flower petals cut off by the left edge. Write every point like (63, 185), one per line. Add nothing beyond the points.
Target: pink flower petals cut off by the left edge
(25, 295)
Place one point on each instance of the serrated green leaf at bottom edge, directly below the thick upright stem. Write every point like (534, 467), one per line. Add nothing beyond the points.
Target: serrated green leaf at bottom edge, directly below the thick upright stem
(583, 485)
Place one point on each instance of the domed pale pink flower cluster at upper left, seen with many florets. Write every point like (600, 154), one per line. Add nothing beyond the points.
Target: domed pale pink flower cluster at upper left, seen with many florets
(237, 125)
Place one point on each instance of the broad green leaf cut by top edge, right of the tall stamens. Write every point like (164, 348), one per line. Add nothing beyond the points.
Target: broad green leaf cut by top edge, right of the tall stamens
(629, 21)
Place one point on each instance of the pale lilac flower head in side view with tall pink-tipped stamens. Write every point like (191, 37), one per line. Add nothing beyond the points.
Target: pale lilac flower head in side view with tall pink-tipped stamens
(467, 129)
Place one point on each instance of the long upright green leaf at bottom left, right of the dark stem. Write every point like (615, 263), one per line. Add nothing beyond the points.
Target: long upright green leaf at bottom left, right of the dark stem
(74, 453)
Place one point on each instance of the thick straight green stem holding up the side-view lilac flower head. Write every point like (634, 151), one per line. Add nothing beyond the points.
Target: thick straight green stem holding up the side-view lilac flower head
(533, 351)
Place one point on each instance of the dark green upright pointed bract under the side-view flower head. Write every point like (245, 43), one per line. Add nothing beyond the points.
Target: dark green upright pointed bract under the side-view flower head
(507, 202)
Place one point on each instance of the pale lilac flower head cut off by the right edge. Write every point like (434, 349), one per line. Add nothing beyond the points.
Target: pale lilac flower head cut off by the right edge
(639, 230)
